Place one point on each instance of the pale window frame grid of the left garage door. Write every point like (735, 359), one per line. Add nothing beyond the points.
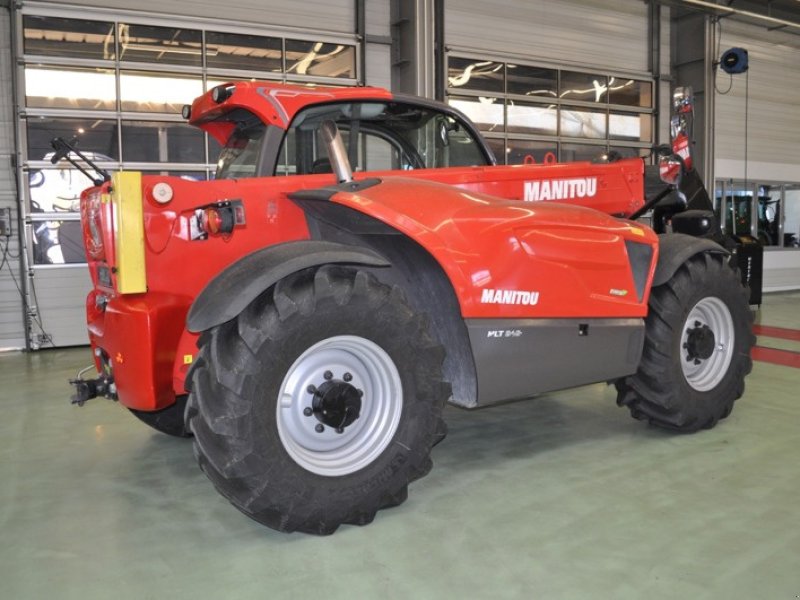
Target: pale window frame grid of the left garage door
(118, 66)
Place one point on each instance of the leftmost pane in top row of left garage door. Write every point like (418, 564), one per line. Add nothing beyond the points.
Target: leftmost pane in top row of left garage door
(78, 38)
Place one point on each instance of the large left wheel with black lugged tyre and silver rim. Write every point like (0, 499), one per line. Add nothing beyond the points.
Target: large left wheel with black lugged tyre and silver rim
(319, 403)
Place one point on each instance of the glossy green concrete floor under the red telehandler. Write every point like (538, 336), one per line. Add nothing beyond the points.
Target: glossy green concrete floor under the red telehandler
(565, 496)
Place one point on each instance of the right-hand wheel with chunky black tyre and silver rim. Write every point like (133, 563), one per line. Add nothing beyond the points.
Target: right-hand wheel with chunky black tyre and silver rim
(696, 355)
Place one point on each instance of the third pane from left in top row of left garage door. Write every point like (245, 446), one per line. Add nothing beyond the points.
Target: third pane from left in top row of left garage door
(243, 52)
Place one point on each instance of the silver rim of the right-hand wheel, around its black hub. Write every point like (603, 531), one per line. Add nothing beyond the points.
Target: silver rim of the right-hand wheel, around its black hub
(704, 374)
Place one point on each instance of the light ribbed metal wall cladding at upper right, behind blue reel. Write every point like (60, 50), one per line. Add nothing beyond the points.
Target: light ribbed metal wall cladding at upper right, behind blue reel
(770, 104)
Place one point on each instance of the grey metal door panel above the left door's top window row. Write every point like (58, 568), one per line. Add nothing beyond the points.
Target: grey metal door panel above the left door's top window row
(337, 16)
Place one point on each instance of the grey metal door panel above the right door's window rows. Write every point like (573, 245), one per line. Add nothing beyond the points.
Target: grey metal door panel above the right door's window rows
(607, 34)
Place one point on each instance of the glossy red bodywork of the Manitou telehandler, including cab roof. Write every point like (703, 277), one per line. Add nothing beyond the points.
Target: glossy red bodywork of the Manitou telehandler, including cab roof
(474, 221)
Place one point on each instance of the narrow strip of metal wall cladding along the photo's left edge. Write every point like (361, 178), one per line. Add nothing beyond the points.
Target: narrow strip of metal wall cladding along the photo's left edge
(12, 331)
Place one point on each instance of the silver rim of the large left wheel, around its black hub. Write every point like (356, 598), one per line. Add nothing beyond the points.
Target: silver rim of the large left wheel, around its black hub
(368, 368)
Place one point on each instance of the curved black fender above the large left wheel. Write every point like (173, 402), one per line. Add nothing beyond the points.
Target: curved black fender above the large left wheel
(230, 292)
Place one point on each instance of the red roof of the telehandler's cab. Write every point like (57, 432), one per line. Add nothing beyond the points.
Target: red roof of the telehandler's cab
(276, 103)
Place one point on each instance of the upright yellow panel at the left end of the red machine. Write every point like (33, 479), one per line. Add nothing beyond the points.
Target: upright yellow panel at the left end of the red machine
(126, 196)
